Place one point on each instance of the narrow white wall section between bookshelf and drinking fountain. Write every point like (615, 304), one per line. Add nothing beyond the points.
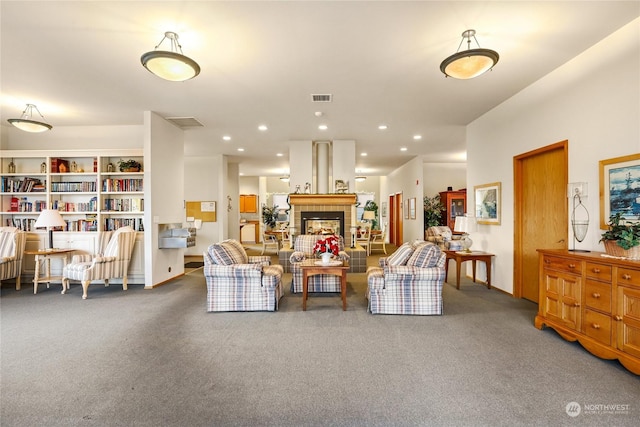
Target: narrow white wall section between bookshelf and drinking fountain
(164, 196)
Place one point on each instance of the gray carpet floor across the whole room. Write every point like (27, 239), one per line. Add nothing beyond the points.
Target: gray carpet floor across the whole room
(156, 358)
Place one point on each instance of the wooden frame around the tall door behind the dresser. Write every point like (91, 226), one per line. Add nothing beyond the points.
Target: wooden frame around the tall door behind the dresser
(518, 231)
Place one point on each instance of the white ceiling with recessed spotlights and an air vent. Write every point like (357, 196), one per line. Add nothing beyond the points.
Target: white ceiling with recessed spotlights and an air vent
(79, 62)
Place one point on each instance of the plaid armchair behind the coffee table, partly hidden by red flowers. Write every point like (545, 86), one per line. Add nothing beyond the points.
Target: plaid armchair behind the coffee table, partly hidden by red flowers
(303, 249)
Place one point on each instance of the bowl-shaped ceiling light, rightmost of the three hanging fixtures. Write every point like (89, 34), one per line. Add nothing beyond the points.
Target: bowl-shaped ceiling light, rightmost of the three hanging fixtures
(469, 63)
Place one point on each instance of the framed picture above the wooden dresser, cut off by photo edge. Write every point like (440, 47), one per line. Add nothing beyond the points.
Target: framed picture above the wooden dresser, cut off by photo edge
(620, 188)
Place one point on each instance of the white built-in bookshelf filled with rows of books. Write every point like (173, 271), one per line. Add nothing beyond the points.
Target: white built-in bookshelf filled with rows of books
(88, 189)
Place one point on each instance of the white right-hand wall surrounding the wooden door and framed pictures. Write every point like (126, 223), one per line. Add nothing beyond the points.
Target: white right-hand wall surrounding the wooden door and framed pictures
(592, 101)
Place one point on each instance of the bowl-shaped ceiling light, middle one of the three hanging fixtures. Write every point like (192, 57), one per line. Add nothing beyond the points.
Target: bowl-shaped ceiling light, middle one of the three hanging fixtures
(170, 65)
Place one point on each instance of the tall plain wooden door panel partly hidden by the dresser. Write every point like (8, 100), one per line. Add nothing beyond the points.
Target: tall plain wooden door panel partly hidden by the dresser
(540, 212)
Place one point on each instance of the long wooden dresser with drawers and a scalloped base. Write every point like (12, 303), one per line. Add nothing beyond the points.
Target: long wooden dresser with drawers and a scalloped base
(593, 299)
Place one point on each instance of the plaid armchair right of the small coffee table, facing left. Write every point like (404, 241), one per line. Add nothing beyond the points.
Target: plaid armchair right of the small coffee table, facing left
(409, 281)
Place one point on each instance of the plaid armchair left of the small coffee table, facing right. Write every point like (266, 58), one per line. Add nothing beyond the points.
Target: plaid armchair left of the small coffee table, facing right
(237, 282)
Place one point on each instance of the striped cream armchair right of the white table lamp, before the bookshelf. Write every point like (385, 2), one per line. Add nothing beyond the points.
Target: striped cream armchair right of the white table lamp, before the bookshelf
(111, 263)
